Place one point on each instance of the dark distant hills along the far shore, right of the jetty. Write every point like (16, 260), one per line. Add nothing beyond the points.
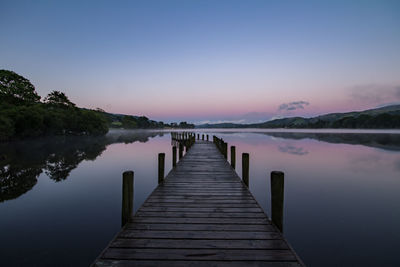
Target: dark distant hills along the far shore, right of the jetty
(379, 118)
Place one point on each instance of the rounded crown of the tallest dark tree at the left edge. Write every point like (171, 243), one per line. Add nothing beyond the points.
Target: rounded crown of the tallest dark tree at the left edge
(16, 89)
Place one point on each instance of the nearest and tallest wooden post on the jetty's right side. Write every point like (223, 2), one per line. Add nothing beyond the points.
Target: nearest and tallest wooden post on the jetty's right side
(277, 189)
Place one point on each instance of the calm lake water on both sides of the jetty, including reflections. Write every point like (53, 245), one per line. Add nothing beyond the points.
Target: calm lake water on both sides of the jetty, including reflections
(60, 198)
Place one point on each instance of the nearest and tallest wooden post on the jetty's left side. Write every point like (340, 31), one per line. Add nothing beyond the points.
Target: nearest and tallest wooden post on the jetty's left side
(127, 197)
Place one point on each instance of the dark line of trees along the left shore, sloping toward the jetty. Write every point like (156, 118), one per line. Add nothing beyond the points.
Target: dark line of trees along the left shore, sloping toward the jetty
(23, 113)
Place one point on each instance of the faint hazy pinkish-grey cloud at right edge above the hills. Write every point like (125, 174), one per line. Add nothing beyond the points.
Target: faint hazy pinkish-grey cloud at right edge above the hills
(375, 94)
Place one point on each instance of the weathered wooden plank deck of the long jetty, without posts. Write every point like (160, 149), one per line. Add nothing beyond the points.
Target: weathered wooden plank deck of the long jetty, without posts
(201, 215)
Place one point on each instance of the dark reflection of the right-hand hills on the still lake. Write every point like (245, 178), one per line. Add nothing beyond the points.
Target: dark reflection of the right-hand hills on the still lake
(383, 141)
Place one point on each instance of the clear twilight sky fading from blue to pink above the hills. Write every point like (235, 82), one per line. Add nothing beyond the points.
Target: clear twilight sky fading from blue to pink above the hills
(207, 60)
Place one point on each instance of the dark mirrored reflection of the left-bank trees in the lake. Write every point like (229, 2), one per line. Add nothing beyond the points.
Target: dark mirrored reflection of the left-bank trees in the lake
(22, 162)
